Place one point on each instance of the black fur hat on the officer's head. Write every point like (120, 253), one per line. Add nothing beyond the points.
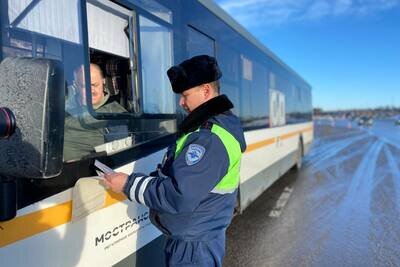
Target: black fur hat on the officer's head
(193, 72)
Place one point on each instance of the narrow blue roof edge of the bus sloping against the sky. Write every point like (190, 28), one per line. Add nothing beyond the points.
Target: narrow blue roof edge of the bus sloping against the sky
(219, 12)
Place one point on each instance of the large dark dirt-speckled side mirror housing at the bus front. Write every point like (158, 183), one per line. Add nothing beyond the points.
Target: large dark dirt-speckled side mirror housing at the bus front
(33, 89)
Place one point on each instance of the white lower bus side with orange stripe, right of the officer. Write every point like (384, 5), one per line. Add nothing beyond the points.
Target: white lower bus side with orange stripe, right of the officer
(270, 154)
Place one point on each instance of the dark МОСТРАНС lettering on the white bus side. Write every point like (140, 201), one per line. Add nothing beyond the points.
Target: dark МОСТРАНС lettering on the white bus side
(117, 231)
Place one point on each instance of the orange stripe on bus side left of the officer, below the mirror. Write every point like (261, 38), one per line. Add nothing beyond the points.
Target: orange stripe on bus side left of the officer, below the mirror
(39, 221)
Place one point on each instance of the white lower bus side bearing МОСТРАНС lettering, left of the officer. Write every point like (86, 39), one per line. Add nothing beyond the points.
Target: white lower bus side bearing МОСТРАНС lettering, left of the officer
(102, 238)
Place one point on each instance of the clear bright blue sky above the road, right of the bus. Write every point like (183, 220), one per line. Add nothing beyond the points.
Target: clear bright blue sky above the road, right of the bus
(348, 50)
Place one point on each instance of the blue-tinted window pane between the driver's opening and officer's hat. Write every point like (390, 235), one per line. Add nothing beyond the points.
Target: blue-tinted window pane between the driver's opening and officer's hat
(156, 94)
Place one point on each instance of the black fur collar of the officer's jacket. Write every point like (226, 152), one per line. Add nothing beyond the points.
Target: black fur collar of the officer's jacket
(202, 113)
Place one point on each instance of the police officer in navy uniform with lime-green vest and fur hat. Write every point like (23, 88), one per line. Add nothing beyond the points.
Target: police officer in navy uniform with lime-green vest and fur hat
(193, 193)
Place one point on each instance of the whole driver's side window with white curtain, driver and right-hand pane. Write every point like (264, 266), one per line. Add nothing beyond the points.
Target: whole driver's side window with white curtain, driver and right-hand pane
(118, 88)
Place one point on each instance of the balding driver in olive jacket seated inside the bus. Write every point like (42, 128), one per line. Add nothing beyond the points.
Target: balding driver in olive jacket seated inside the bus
(83, 132)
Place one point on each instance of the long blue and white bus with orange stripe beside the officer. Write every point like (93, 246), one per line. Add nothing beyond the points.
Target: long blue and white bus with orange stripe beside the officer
(46, 47)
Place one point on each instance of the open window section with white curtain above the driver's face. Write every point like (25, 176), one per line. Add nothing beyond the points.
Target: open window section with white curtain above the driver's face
(110, 46)
